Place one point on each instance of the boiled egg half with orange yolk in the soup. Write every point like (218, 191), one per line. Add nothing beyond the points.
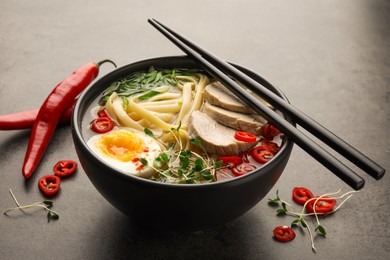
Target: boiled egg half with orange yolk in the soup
(122, 149)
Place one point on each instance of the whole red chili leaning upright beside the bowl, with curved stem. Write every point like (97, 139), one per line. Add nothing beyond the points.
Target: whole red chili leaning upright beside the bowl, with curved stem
(51, 110)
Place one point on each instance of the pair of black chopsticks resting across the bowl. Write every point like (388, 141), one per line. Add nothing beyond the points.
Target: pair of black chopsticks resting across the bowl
(224, 72)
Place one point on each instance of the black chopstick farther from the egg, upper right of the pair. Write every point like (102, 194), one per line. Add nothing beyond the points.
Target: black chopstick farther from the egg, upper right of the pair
(323, 134)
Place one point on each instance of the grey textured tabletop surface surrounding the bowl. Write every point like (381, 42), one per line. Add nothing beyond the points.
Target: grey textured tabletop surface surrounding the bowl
(331, 58)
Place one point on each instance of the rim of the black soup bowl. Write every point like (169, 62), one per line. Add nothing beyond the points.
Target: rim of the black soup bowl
(86, 95)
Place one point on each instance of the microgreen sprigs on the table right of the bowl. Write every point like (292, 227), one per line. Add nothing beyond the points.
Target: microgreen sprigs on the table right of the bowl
(285, 208)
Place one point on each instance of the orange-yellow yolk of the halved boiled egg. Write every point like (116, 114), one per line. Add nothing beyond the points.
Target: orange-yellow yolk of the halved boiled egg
(121, 145)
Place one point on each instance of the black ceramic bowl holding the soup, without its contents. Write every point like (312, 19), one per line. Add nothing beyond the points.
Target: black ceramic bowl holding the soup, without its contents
(173, 206)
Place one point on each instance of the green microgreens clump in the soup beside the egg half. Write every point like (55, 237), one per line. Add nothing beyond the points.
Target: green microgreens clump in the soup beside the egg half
(178, 165)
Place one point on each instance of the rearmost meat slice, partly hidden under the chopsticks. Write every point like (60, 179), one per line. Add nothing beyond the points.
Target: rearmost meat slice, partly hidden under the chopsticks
(218, 95)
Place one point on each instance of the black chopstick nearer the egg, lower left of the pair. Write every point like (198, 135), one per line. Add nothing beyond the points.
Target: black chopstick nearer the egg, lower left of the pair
(316, 151)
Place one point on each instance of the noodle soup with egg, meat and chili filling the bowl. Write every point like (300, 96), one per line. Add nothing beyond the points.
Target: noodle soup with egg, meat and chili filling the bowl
(178, 126)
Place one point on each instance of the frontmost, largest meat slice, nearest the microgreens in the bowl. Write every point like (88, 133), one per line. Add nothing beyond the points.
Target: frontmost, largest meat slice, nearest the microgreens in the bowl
(216, 138)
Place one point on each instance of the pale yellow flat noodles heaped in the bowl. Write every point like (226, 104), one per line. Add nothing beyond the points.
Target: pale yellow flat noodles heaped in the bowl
(164, 111)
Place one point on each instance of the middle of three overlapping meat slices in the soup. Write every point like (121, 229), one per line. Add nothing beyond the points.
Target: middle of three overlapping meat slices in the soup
(245, 122)
